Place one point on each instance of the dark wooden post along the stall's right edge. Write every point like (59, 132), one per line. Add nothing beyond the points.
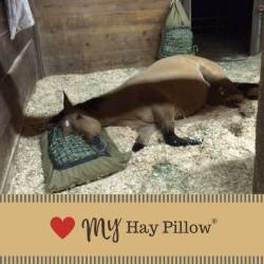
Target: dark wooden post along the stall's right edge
(258, 182)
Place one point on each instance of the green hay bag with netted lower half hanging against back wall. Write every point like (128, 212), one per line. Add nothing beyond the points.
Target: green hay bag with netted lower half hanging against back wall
(177, 36)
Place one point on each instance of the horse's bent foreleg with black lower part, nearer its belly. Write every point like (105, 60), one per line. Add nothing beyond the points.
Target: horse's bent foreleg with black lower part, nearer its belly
(164, 116)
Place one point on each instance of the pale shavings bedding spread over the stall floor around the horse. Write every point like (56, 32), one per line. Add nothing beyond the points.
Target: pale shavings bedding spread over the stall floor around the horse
(222, 164)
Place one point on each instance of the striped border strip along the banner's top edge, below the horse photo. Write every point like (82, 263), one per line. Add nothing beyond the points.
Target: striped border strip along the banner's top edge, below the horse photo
(131, 198)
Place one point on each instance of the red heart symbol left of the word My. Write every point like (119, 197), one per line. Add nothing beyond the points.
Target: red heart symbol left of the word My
(62, 227)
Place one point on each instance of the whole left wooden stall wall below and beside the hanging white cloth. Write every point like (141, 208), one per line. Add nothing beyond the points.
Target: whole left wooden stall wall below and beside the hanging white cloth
(18, 75)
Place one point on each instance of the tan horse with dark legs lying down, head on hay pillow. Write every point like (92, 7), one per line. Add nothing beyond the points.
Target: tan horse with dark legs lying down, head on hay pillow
(170, 89)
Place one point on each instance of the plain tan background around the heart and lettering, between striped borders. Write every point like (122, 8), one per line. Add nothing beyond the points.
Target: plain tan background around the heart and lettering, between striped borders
(238, 230)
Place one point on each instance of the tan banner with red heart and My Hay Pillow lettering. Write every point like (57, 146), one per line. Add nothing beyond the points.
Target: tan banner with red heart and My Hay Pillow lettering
(137, 225)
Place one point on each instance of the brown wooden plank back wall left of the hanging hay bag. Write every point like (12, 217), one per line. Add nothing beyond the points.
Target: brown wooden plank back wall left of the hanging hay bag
(87, 35)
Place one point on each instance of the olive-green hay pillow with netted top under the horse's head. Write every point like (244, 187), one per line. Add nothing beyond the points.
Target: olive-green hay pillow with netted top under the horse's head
(70, 161)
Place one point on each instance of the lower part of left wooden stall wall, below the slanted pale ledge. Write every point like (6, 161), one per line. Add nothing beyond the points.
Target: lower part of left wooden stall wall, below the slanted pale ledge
(15, 90)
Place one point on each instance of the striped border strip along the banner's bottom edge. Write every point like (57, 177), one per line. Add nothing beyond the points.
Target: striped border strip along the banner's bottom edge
(132, 259)
